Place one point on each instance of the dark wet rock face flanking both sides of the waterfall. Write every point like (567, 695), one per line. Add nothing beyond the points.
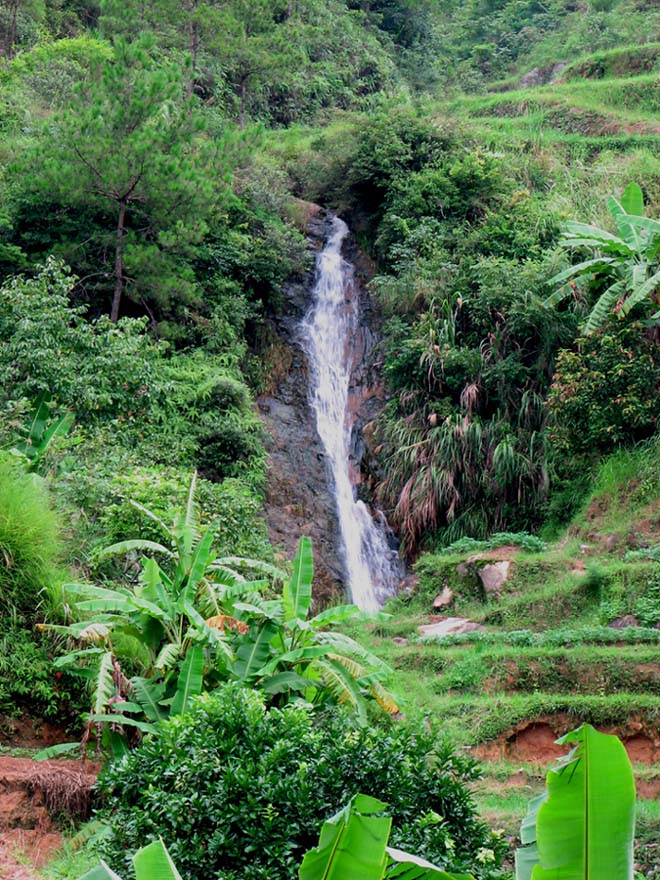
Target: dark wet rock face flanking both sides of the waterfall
(300, 493)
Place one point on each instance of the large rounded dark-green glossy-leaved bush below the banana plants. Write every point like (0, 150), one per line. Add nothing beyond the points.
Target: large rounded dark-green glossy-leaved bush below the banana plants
(236, 791)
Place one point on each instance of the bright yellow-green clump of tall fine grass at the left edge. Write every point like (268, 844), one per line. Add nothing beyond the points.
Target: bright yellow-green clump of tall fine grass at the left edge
(30, 543)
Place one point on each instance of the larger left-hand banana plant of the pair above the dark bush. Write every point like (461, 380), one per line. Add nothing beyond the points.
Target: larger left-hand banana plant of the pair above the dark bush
(176, 616)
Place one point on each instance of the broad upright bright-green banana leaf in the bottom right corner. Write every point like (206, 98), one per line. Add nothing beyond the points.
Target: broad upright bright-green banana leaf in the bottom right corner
(583, 826)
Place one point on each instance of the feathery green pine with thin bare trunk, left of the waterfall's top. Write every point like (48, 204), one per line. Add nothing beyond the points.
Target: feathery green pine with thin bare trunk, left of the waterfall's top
(130, 145)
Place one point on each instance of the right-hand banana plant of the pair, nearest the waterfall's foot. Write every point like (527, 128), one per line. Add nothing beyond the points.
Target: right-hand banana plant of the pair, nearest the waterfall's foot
(290, 653)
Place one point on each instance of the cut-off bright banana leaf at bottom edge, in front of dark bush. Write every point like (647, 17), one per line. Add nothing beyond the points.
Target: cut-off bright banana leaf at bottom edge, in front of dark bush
(354, 844)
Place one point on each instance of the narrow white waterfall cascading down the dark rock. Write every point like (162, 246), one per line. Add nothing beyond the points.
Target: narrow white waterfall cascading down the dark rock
(373, 568)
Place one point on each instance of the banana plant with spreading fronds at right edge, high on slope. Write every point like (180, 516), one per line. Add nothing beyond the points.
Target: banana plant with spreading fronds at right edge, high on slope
(626, 262)
